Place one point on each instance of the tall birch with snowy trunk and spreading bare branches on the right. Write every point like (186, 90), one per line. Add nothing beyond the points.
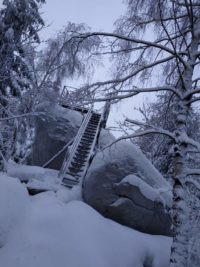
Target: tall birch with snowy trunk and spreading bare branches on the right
(155, 48)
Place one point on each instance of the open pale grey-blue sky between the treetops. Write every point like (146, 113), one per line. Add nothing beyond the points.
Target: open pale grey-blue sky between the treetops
(99, 14)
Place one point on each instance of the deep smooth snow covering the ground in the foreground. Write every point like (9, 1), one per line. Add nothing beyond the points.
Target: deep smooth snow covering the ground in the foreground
(54, 230)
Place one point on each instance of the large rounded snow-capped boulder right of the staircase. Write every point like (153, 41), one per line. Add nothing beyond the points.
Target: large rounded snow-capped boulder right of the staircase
(141, 202)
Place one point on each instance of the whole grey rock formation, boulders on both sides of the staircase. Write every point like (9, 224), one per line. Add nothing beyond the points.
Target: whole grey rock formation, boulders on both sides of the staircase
(120, 183)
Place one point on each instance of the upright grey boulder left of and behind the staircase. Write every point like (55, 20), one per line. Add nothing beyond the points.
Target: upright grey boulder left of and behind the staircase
(54, 128)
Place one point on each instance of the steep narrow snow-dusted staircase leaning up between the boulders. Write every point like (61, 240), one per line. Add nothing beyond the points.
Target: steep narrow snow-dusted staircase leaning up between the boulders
(77, 159)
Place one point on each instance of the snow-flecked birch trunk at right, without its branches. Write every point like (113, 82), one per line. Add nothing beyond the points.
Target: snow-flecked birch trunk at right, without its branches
(181, 207)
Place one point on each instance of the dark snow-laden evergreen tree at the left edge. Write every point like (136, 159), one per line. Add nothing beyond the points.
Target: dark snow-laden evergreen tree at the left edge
(20, 22)
